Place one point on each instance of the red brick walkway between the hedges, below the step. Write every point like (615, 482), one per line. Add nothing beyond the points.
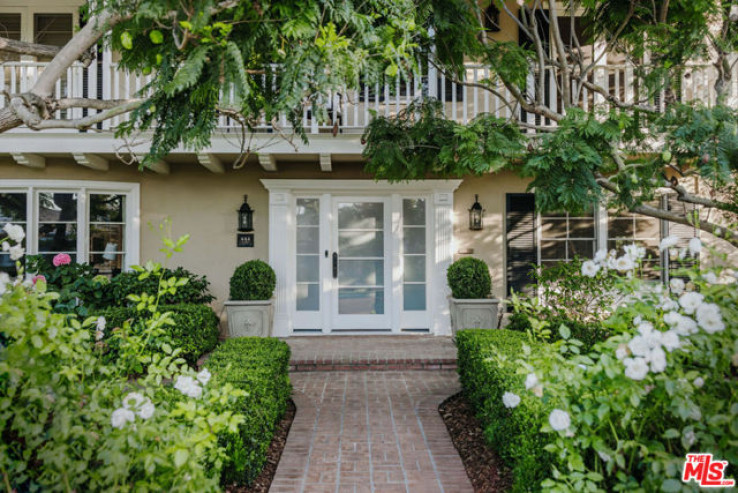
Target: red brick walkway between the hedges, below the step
(377, 431)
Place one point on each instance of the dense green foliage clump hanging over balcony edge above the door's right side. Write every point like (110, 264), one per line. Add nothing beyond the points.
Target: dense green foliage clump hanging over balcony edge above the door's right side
(419, 142)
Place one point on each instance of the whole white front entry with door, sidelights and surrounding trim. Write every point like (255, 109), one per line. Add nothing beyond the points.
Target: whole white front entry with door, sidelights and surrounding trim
(360, 256)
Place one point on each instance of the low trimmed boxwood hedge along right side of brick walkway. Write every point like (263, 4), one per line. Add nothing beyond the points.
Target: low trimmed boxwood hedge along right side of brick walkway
(513, 433)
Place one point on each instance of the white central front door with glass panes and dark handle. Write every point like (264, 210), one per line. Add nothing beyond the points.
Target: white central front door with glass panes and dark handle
(361, 264)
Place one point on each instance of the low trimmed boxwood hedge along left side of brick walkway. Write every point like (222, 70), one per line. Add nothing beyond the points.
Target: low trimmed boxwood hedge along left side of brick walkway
(260, 367)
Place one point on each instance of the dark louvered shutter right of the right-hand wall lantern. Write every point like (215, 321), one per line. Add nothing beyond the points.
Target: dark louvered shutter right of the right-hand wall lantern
(520, 225)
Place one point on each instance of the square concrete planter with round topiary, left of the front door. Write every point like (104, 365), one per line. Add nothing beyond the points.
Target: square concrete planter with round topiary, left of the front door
(249, 309)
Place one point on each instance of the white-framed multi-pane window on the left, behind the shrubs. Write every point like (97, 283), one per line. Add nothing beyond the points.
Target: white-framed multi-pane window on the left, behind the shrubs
(92, 222)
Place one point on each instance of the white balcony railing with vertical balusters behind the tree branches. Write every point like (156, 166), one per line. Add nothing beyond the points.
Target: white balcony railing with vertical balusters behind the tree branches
(350, 111)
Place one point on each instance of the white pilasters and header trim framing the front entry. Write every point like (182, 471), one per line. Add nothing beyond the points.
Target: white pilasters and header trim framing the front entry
(282, 194)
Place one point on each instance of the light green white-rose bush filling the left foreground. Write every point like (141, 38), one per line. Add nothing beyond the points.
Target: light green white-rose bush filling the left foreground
(73, 420)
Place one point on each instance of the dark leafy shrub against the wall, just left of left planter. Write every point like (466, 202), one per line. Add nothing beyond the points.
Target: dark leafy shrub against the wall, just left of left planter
(195, 291)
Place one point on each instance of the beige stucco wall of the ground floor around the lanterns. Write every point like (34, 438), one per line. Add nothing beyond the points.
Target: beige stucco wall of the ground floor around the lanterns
(204, 205)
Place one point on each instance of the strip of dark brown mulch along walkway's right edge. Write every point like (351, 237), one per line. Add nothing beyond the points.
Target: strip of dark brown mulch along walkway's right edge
(483, 466)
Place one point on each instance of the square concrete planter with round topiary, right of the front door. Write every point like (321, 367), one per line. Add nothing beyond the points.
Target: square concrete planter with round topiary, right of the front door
(472, 306)
